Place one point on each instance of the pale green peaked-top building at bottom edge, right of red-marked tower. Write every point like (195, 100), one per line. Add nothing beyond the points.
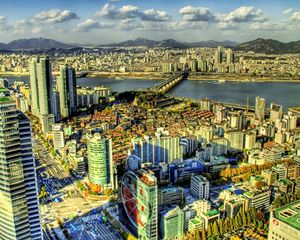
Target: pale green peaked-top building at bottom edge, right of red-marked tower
(172, 224)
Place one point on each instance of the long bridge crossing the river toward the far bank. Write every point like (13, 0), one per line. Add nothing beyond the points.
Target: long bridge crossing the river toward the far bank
(167, 85)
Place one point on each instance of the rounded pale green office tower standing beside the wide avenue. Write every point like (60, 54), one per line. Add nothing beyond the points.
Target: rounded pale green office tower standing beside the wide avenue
(100, 165)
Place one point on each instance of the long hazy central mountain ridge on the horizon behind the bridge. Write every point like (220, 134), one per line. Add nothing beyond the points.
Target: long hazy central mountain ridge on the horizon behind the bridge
(169, 43)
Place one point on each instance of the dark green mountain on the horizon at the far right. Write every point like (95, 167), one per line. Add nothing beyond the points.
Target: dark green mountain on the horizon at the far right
(269, 46)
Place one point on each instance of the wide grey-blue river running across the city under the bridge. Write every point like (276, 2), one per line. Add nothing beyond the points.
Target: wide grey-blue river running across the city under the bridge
(287, 94)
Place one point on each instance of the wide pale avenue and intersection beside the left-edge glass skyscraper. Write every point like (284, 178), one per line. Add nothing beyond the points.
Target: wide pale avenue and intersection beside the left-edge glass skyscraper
(61, 187)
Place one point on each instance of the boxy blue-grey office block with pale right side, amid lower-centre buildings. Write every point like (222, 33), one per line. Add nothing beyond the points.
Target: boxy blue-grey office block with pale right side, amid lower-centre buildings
(199, 187)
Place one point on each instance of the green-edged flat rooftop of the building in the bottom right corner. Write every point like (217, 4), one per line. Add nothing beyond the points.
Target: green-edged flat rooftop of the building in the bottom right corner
(289, 214)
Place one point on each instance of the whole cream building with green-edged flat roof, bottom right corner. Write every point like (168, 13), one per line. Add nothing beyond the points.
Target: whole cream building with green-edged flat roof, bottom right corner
(284, 222)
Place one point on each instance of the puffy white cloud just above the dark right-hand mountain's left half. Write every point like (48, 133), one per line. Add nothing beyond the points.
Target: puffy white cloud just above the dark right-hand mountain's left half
(245, 14)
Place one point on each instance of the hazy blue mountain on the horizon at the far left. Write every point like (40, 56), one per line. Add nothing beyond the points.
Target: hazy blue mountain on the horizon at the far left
(33, 43)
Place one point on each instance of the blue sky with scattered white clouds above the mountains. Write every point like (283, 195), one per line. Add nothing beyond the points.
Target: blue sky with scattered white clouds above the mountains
(110, 21)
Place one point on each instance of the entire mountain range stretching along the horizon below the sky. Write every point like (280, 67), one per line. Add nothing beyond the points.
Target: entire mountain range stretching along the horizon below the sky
(259, 45)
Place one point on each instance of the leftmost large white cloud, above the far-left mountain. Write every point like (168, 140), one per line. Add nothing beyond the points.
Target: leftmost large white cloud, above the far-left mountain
(54, 16)
